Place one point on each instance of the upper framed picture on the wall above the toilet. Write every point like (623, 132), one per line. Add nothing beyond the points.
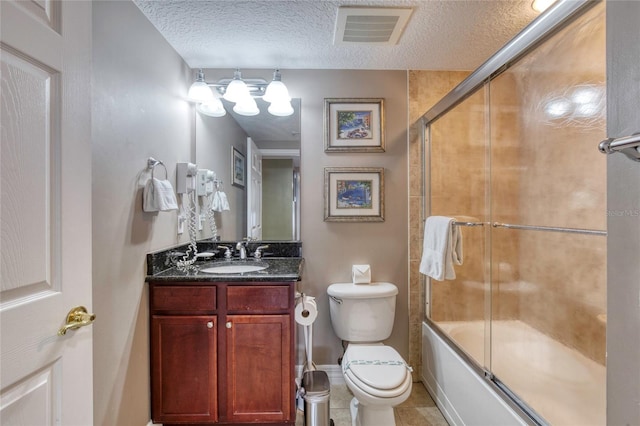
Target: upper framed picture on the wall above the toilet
(354, 125)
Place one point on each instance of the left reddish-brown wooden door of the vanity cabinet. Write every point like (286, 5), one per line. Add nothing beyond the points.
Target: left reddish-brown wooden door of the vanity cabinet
(183, 369)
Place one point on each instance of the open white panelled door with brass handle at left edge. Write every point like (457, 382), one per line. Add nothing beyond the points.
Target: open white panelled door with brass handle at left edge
(45, 213)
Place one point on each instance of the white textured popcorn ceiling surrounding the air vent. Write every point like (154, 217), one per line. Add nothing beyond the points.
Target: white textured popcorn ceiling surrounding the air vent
(298, 34)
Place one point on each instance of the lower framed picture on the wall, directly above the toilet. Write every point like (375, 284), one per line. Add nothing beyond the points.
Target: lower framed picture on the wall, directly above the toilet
(354, 194)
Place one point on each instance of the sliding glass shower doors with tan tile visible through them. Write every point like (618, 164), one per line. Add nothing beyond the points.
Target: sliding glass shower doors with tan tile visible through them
(514, 163)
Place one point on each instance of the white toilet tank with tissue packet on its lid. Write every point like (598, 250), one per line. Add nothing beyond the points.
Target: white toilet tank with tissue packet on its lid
(362, 312)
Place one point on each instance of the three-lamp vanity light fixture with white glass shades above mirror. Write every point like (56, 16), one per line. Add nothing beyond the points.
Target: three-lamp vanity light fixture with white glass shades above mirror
(241, 92)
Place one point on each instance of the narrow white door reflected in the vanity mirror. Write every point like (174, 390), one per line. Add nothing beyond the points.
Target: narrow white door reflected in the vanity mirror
(254, 191)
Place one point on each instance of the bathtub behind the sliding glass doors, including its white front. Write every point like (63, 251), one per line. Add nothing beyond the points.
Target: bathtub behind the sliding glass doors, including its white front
(538, 369)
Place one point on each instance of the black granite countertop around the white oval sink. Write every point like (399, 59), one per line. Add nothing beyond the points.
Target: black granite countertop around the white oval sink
(279, 269)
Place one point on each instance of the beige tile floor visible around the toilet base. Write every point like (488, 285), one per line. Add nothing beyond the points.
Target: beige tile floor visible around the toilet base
(418, 410)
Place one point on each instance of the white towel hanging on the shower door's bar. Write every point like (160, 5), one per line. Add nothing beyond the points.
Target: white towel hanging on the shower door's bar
(442, 248)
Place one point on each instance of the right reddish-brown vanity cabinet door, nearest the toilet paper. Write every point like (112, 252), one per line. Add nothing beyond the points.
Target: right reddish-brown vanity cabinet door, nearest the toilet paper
(259, 368)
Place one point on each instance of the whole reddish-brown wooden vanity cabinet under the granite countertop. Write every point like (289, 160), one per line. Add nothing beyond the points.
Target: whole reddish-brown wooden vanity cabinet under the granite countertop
(222, 353)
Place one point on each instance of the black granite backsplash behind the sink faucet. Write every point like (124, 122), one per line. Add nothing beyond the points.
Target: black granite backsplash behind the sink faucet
(162, 260)
